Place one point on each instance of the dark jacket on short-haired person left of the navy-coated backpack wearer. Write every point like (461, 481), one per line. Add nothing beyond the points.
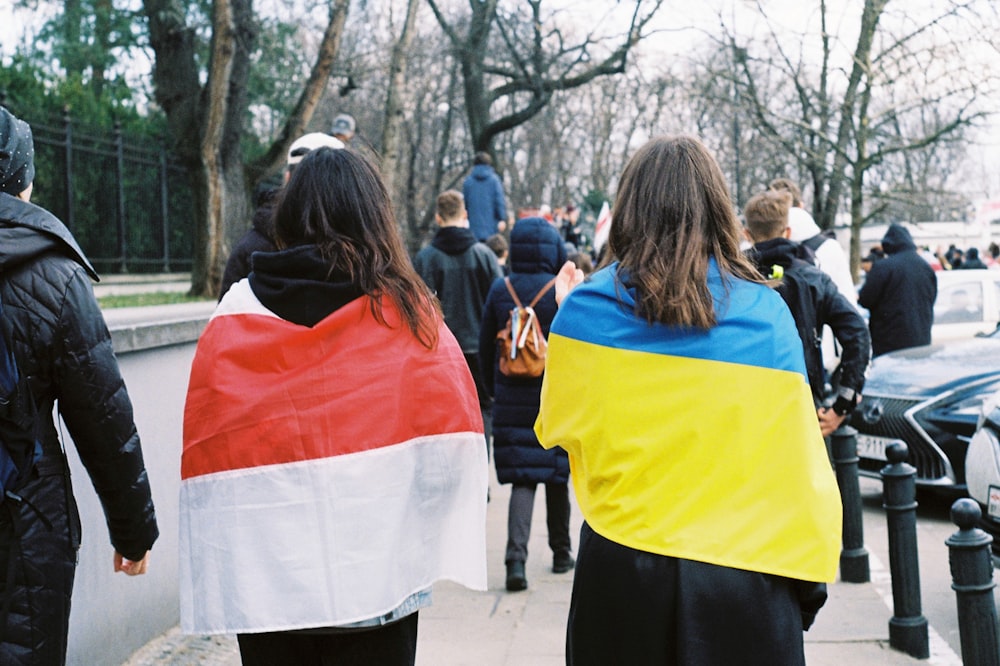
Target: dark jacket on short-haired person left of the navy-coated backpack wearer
(459, 270)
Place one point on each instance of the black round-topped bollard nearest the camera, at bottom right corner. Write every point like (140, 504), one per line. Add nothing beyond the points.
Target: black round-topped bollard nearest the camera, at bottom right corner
(972, 579)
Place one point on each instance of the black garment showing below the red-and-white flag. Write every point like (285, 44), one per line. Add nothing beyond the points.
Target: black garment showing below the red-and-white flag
(392, 644)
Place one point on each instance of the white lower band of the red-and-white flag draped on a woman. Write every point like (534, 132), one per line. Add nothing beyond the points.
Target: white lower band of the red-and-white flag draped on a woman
(331, 541)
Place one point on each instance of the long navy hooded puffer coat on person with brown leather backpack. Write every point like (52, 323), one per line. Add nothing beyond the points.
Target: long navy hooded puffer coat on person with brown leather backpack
(536, 255)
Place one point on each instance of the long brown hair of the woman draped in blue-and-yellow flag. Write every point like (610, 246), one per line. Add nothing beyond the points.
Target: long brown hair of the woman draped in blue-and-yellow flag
(671, 214)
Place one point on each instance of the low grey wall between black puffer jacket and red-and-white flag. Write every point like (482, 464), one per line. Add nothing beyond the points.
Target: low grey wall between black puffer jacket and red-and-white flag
(113, 615)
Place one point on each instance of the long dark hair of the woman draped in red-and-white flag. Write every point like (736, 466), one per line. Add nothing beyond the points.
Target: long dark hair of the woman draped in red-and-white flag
(337, 201)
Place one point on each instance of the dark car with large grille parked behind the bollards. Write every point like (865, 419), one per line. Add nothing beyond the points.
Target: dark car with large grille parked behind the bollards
(931, 399)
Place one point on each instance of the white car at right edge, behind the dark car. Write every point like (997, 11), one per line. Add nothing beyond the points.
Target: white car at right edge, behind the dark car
(968, 303)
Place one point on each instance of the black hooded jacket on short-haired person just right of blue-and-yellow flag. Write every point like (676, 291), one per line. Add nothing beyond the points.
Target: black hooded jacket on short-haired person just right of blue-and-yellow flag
(815, 302)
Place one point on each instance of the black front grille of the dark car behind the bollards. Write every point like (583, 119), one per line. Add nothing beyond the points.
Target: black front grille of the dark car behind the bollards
(929, 461)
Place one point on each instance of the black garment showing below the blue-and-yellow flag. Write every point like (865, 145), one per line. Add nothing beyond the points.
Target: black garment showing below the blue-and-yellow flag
(638, 608)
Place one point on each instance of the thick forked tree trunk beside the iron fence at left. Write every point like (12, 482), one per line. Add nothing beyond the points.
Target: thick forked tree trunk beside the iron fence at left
(207, 119)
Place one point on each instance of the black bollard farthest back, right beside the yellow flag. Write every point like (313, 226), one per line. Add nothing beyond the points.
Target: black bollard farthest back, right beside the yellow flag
(853, 556)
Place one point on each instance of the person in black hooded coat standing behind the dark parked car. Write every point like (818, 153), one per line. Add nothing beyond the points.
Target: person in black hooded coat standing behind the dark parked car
(899, 293)
